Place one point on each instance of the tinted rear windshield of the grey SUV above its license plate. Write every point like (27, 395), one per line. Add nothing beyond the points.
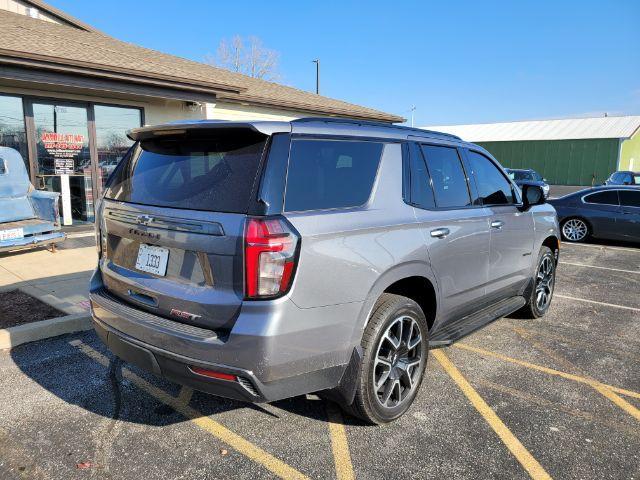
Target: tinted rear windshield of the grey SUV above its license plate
(212, 171)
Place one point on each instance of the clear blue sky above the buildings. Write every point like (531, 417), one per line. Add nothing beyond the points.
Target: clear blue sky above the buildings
(456, 61)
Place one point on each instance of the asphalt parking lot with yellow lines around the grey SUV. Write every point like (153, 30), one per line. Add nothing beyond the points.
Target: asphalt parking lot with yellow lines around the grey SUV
(557, 397)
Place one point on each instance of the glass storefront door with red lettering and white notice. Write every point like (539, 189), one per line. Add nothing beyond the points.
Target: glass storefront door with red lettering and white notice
(63, 157)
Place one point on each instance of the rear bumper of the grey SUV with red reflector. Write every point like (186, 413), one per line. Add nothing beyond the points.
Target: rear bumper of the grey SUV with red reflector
(269, 361)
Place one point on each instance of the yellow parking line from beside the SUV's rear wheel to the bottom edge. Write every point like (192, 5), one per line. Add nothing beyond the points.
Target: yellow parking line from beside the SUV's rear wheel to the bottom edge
(528, 462)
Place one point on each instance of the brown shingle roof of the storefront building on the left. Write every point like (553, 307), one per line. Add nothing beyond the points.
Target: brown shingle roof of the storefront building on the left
(45, 45)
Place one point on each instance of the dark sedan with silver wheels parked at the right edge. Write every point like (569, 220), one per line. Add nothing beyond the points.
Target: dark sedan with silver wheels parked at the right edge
(607, 212)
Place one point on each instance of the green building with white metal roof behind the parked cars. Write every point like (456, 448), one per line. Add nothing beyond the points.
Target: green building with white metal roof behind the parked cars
(572, 151)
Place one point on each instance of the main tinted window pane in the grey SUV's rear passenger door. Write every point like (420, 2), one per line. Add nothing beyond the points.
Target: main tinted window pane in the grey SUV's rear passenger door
(449, 181)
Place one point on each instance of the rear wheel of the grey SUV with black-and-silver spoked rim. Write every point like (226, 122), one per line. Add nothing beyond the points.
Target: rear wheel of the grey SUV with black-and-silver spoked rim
(390, 344)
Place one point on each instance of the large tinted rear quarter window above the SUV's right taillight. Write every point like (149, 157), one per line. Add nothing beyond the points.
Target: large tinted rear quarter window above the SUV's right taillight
(330, 174)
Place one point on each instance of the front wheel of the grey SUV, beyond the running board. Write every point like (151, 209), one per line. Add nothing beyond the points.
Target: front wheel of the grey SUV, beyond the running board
(544, 280)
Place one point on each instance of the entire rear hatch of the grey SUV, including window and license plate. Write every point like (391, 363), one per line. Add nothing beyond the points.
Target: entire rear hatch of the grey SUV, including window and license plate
(173, 219)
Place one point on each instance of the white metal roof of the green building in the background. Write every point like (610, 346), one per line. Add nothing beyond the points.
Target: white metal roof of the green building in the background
(564, 129)
